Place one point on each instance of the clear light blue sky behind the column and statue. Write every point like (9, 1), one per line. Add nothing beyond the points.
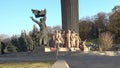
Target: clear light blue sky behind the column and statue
(15, 14)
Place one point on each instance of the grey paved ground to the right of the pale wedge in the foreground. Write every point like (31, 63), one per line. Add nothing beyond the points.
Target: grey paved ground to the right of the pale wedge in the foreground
(90, 61)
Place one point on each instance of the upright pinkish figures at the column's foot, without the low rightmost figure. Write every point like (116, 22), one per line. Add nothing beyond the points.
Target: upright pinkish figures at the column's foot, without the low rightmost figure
(68, 39)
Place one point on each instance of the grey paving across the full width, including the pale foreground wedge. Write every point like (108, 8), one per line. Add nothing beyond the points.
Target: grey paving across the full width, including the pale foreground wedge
(74, 60)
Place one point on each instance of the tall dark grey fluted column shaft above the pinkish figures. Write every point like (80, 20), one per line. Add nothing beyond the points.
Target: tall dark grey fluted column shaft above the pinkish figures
(70, 14)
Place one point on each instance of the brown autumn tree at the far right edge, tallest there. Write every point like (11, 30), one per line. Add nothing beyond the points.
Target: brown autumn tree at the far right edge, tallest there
(114, 25)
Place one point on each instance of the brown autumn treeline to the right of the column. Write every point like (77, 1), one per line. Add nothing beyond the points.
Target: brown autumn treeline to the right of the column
(92, 27)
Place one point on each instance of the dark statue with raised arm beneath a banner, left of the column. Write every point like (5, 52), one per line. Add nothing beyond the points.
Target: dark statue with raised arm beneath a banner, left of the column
(43, 29)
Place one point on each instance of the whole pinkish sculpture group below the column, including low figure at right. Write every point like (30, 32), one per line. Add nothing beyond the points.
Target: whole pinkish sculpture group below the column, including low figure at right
(68, 39)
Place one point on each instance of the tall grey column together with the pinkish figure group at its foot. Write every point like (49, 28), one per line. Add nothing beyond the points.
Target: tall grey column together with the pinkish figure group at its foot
(70, 24)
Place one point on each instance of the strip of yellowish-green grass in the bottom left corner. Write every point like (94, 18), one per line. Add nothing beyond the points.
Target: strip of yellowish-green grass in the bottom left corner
(31, 64)
